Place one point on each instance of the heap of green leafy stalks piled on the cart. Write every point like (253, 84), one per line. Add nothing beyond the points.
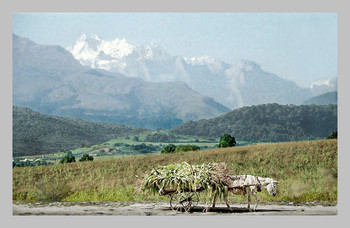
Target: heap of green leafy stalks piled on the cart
(183, 177)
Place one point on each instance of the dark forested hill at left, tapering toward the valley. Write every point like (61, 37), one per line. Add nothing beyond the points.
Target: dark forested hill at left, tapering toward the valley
(35, 133)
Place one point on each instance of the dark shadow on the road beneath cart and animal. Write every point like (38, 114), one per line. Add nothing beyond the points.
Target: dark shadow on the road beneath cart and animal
(233, 210)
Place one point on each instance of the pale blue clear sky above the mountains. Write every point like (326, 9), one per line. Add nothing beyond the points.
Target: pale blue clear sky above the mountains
(301, 47)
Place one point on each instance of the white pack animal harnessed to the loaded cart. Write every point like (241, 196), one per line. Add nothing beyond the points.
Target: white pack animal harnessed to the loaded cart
(250, 185)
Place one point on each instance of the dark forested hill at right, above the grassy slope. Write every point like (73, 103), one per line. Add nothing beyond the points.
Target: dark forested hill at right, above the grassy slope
(268, 122)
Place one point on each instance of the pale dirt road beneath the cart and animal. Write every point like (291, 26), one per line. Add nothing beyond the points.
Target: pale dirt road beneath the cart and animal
(163, 209)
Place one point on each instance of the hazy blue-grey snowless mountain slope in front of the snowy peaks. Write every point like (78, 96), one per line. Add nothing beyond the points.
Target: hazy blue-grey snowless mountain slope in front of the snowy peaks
(48, 79)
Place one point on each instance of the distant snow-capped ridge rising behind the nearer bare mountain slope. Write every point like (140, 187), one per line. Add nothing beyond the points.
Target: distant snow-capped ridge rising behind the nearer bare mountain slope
(233, 85)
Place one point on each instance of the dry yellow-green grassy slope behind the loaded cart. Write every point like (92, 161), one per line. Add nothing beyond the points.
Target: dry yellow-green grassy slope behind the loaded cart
(306, 171)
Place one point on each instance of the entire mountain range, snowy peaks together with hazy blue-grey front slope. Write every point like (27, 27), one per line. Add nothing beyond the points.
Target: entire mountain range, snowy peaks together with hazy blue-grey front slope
(118, 82)
